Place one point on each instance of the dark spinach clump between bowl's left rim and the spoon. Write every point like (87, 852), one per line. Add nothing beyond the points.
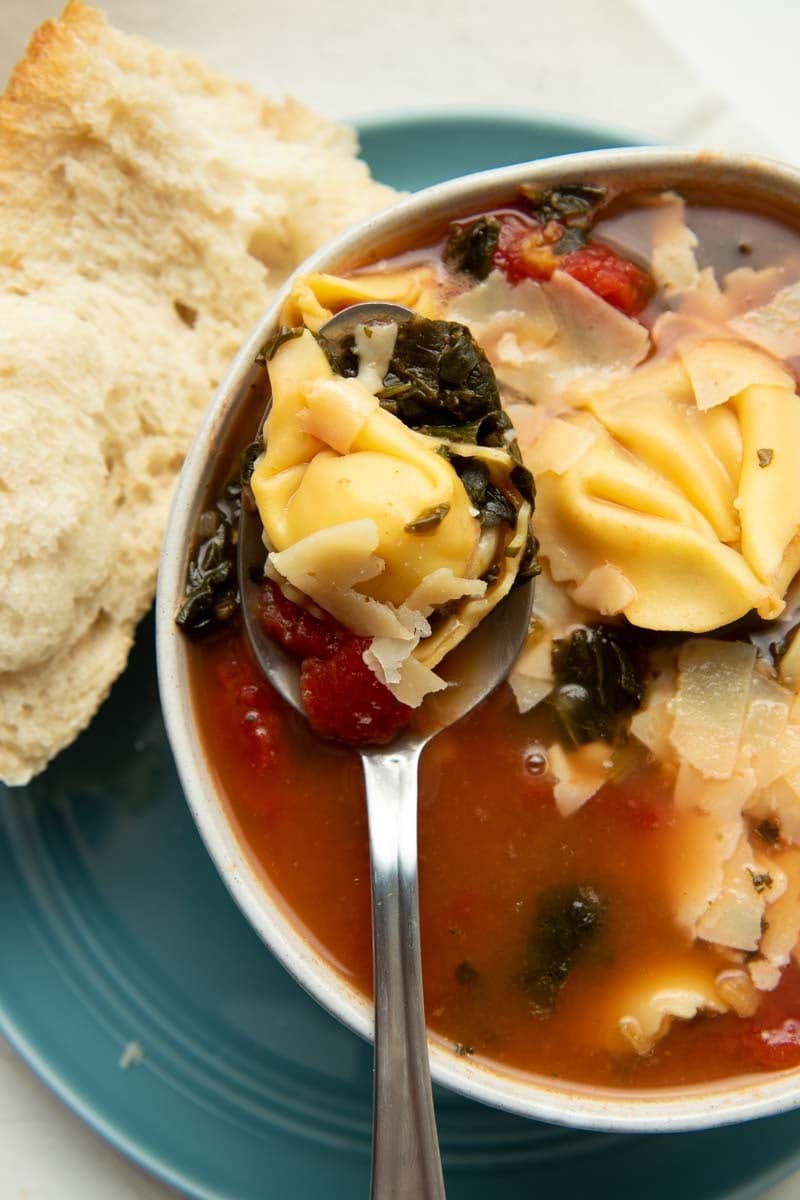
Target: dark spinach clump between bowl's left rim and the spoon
(212, 591)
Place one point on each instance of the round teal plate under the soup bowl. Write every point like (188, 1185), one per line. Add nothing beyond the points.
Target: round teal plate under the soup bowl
(115, 928)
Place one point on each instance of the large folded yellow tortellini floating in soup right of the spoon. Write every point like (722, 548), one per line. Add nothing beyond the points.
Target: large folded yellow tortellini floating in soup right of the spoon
(699, 509)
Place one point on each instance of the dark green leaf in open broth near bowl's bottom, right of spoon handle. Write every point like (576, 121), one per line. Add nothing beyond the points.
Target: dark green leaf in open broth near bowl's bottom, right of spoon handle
(568, 920)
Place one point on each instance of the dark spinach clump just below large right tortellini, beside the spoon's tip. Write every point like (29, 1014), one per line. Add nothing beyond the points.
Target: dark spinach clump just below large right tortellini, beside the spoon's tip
(599, 680)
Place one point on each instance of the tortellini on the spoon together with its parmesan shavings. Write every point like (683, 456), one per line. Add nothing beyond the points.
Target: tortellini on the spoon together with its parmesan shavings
(369, 520)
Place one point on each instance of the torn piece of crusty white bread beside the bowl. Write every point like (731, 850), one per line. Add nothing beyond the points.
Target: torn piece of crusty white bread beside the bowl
(149, 209)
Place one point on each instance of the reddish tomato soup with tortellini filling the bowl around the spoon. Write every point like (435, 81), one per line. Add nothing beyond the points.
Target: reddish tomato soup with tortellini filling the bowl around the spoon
(610, 880)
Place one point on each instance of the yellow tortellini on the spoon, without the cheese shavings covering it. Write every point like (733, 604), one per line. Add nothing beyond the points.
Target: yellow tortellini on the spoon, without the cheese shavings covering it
(334, 455)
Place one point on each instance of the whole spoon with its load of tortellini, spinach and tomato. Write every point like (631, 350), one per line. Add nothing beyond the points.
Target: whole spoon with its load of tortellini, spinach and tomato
(386, 565)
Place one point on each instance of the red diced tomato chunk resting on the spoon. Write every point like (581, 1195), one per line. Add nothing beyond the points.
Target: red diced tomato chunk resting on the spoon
(345, 700)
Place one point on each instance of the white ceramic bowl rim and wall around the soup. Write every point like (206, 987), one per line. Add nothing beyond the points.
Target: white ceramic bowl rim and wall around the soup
(767, 187)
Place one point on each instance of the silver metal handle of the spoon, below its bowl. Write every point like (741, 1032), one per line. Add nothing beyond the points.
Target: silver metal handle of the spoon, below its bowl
(406, 1163)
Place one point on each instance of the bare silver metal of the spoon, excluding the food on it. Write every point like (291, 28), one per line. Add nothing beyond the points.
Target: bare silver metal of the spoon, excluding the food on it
(406, 1162)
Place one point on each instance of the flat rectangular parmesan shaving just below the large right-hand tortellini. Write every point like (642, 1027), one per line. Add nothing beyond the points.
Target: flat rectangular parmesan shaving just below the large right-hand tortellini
(711, 705)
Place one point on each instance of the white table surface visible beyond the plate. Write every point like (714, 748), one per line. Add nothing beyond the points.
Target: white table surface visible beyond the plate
(699, 73)
